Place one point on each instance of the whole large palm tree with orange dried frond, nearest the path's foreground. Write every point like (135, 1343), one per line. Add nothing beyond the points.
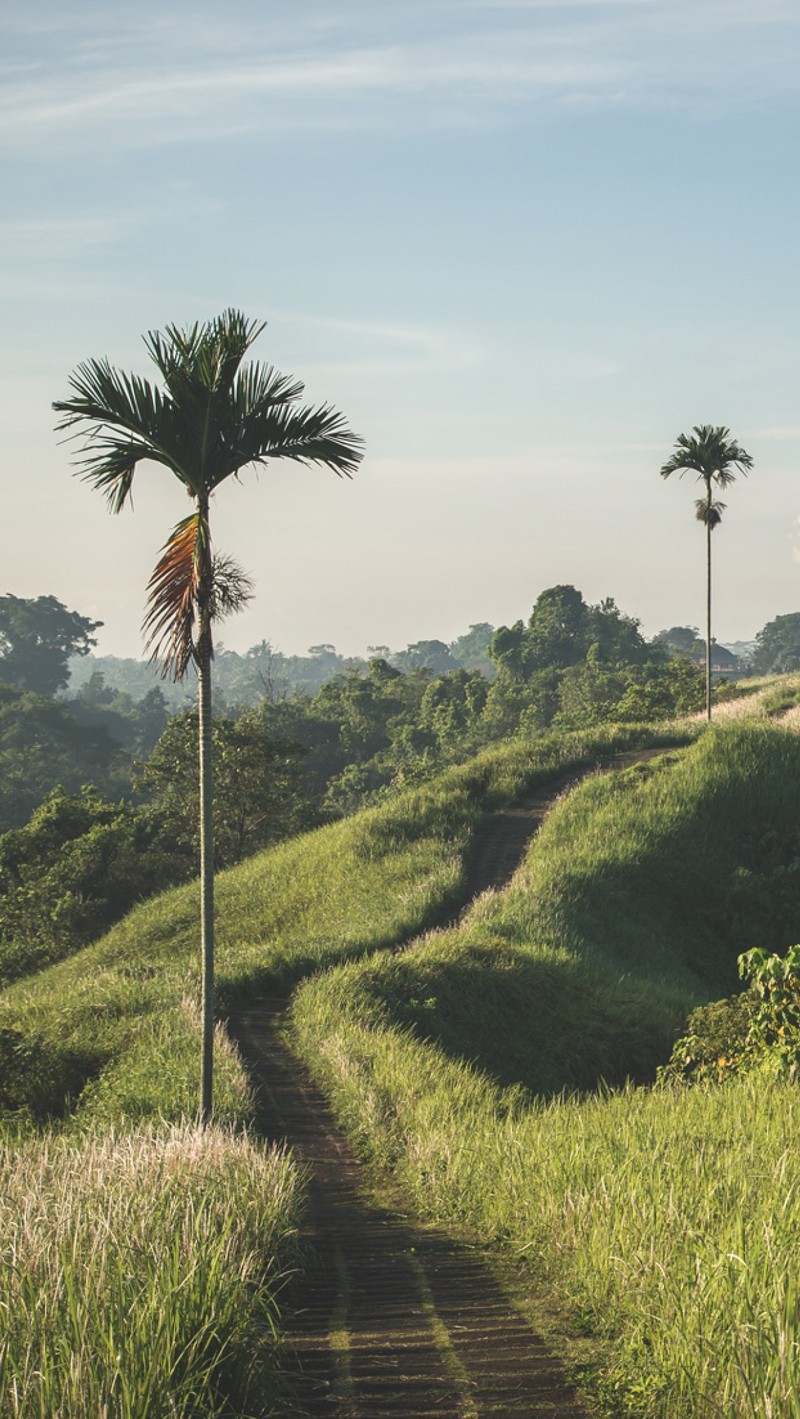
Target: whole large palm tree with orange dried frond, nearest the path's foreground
(212, 418)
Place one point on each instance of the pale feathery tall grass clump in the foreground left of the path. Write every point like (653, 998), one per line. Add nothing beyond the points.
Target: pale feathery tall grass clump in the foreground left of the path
(140, 1274)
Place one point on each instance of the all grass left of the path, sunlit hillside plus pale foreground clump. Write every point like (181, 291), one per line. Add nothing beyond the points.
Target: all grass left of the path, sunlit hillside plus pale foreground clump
(109, 1041)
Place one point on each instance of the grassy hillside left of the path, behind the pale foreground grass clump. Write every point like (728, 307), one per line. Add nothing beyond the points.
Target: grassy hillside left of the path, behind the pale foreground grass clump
(109, 1032)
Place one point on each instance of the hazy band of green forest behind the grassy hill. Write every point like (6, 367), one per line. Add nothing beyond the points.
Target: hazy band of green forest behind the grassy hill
(99, 781)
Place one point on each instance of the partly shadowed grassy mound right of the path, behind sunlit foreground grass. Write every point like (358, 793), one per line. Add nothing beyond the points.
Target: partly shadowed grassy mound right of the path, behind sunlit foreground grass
(636, 900)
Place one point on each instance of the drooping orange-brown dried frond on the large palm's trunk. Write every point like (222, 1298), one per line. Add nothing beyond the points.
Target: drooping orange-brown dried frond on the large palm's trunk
(172, 597)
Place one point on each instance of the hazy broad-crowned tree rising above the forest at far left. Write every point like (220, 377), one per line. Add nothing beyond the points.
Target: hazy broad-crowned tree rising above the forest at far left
(38, 638)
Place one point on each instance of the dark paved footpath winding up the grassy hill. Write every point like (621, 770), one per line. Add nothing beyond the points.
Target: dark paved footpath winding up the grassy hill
(395, 1320)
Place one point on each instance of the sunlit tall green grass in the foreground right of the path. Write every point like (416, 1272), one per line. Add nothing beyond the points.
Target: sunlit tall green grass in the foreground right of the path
(669, 1222)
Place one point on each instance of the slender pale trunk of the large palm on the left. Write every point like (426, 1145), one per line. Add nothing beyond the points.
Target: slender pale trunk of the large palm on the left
(206, 859)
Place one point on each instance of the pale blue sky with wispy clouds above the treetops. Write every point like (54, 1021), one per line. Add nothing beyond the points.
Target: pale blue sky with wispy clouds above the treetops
(521, 246)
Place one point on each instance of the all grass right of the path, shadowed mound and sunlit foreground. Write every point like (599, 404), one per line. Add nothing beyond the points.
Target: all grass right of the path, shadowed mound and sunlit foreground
(653, 1213)
